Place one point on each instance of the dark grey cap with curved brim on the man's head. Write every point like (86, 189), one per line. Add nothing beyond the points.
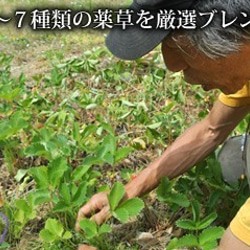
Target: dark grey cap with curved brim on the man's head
(134, 42)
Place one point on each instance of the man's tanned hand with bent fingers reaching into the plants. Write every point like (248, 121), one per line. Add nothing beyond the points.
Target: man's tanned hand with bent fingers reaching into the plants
(97, 209)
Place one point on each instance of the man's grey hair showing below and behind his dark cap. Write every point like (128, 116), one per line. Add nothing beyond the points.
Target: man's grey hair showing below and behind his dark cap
(213, 40)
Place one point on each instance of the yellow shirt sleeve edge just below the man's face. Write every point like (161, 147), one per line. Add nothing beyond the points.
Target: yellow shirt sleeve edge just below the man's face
(240, 98)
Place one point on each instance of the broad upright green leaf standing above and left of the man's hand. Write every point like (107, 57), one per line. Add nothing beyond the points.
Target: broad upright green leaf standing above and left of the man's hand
(56, 170)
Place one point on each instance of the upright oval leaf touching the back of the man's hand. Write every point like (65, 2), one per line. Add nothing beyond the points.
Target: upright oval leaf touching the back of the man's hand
(116, 194)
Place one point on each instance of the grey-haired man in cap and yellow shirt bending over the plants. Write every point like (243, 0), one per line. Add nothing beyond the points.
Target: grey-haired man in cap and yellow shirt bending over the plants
(214, 57)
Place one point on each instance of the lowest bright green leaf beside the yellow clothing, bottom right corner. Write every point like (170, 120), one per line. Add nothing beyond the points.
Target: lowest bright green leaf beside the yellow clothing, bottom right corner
(210, 234)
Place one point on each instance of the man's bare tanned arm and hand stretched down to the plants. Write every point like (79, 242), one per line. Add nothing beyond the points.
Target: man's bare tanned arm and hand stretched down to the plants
(190, 148)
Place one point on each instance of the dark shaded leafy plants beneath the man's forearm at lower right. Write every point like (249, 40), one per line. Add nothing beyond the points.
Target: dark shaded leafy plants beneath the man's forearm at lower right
(205, 195)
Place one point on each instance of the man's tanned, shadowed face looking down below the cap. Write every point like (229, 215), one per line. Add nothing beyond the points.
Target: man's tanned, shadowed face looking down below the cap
(229, 74)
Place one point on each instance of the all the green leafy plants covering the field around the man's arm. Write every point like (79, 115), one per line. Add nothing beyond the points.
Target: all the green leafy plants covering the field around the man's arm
(62, 133)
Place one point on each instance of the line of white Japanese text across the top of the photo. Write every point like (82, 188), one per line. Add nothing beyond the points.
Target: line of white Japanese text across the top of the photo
(56, 19)
